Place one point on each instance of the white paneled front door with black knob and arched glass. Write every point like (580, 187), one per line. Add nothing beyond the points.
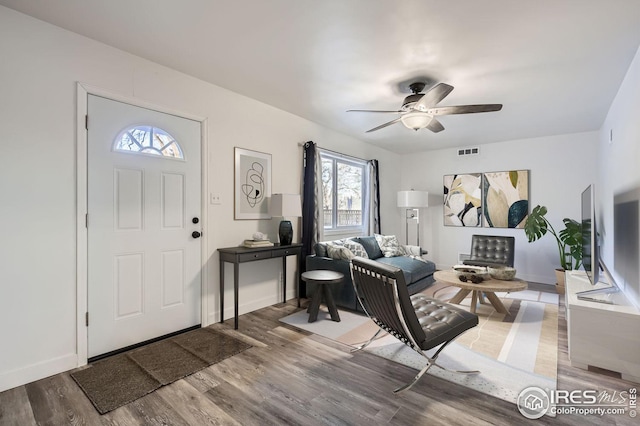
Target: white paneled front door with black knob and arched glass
(144, 205)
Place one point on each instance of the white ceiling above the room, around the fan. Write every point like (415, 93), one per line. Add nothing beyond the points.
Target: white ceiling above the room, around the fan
(555, 65)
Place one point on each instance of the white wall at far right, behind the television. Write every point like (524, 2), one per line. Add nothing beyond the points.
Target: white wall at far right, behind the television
(619, 162)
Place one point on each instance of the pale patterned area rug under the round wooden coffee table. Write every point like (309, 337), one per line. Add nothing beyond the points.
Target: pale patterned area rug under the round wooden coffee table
(512, 351)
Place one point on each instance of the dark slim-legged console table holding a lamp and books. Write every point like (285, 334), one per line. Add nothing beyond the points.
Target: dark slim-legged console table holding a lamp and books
(238, 255)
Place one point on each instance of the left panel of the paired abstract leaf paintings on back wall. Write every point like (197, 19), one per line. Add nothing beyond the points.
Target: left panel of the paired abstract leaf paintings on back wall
(463, 199)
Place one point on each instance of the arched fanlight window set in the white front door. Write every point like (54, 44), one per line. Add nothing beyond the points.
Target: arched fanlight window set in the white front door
(148, 140)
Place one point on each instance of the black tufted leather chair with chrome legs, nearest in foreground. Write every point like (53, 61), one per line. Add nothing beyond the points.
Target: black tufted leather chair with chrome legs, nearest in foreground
(420, 322)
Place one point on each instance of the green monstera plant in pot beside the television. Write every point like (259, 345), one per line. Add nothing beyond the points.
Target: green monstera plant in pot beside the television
(569, 240)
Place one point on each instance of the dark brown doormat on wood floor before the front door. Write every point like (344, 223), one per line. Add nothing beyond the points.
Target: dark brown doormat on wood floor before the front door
(121, 379)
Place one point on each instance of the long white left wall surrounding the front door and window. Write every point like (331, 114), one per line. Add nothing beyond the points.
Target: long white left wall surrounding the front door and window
(40, 67)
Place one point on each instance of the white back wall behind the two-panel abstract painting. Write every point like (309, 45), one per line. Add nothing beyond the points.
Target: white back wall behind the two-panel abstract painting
(560, 168)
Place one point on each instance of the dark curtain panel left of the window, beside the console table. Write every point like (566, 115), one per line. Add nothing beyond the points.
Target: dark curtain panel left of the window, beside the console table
(308, 207)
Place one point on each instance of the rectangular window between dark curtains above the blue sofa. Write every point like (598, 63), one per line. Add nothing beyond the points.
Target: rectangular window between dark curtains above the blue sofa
(344, 189)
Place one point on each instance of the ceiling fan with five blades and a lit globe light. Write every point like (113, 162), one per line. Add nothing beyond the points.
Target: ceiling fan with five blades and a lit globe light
(418, 110)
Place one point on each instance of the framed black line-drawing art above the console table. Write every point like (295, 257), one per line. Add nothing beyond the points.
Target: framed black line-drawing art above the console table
(252, 184)
